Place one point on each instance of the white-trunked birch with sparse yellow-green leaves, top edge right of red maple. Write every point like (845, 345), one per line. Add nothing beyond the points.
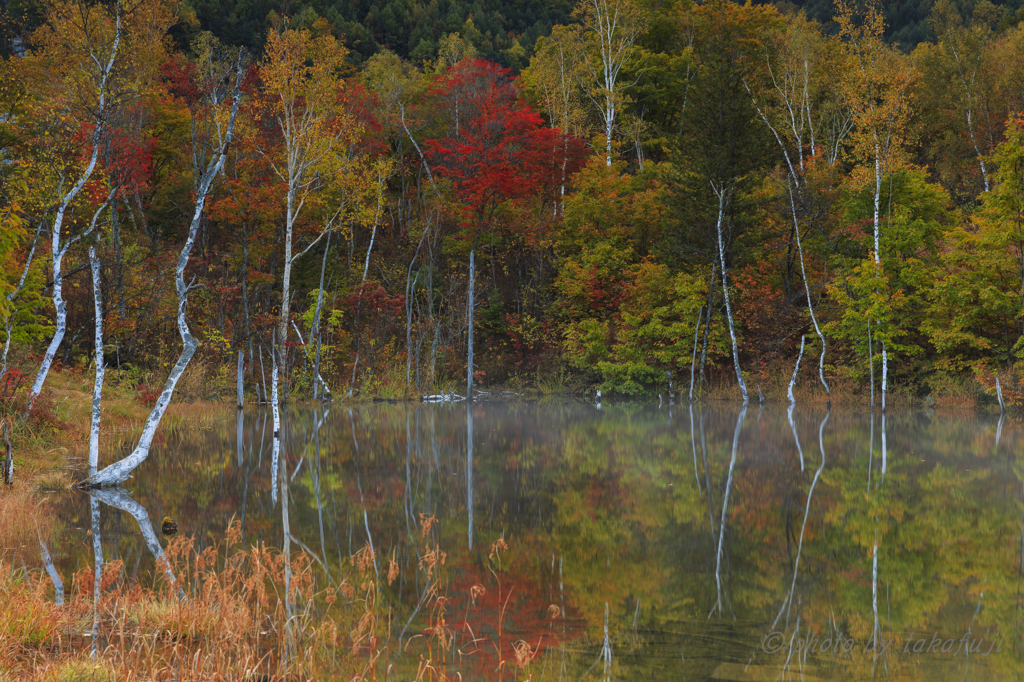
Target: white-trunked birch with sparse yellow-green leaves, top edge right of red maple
(612, 29)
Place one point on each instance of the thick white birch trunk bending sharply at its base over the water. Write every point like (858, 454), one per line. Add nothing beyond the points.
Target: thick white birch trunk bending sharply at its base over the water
(119, 472)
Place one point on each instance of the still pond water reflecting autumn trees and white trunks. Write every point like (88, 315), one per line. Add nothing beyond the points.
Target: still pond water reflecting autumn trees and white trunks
(644, 542)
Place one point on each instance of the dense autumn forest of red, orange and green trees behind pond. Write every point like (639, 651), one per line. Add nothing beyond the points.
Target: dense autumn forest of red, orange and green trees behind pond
(618, 195)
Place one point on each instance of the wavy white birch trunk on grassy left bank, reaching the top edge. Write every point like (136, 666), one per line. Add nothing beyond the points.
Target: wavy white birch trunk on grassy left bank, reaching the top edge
(59, 251)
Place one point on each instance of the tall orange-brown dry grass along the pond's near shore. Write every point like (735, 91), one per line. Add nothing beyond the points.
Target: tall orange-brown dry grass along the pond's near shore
(229, 615)
